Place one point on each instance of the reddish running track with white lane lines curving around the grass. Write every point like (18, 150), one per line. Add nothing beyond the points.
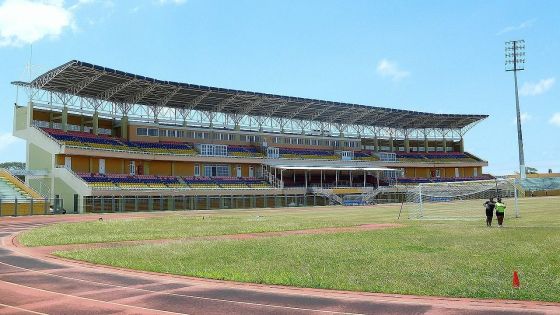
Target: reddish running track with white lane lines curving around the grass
(35, 283)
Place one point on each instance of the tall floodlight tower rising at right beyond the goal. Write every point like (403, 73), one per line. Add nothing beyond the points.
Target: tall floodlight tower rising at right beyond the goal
(515, 61)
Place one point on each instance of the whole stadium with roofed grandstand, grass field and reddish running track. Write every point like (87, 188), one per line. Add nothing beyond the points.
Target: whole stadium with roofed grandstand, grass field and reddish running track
(302, 206)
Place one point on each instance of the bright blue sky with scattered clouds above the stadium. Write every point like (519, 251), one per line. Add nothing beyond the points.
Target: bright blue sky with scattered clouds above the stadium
(433, 56)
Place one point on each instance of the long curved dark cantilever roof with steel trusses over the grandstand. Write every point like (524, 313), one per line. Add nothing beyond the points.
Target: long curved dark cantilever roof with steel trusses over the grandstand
(96, 82)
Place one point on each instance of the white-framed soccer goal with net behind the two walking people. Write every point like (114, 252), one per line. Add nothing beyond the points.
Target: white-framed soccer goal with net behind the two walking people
(459, 200)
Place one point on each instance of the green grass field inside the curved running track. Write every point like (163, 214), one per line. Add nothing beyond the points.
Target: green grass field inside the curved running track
(443, 258)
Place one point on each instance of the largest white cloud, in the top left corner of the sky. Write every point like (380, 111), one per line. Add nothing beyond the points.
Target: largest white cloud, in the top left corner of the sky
(25, 22)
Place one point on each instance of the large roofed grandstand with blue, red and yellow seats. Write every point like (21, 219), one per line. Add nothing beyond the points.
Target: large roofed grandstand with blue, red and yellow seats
(107, 140)
